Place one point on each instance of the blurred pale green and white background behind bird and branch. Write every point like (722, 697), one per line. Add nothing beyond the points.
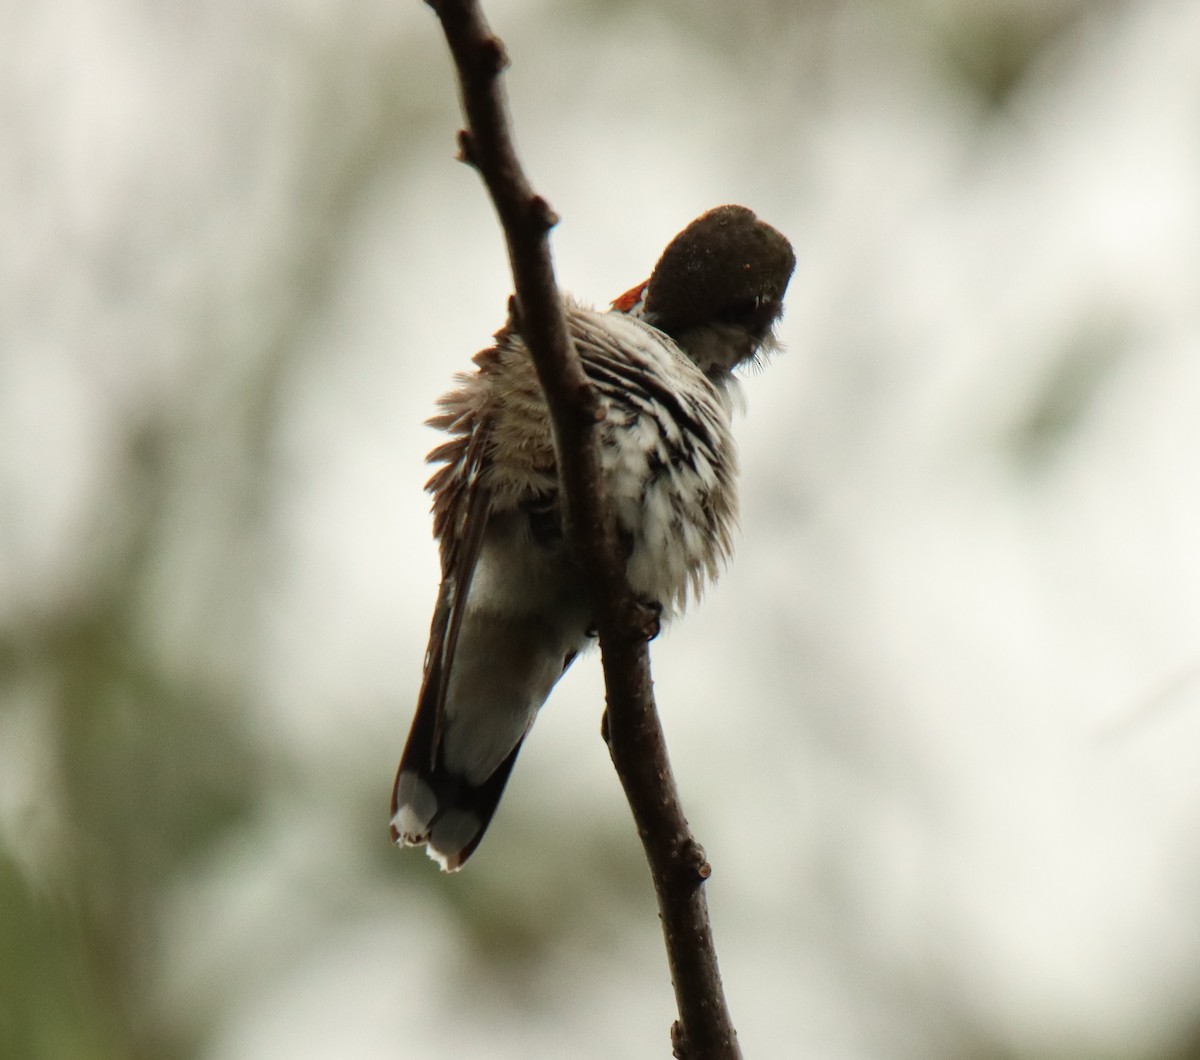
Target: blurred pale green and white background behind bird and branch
(939, 727)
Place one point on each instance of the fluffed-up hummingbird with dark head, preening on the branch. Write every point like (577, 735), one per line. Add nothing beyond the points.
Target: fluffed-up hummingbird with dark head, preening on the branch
(512, 612)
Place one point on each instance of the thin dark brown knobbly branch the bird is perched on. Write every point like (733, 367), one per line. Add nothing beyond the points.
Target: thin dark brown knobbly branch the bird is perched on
(677, 863)
